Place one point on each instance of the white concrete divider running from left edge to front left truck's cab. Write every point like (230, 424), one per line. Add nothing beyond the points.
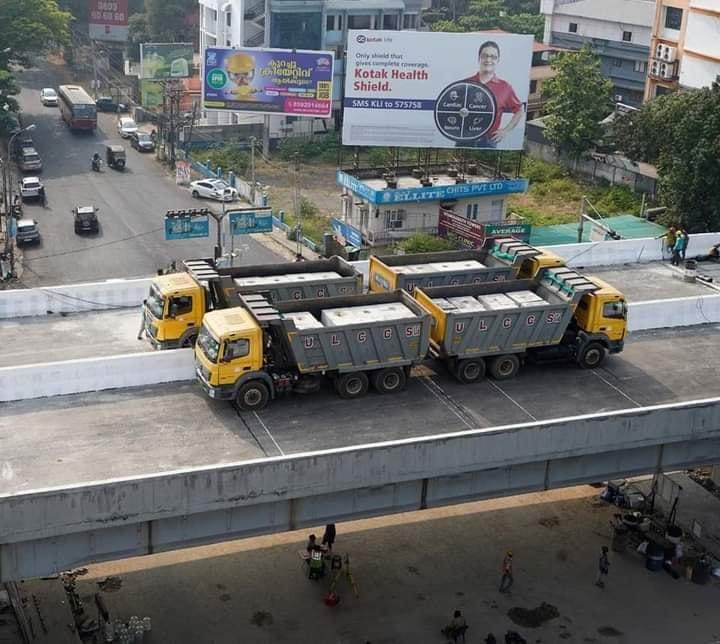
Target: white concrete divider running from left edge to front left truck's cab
(95, 374)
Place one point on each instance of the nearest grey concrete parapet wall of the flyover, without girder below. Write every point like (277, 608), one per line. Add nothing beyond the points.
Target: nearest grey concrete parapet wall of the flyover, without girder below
(42, 514)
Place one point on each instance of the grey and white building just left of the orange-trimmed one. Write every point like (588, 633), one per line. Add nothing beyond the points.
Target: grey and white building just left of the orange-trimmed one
(618, 31)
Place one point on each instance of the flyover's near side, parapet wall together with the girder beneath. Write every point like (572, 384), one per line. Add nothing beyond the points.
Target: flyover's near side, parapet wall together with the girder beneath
(43, 531)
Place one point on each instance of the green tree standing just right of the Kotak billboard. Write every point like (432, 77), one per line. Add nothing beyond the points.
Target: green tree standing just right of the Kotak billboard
(578, 99)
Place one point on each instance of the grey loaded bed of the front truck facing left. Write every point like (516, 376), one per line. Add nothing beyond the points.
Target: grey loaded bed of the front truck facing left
(343, 334)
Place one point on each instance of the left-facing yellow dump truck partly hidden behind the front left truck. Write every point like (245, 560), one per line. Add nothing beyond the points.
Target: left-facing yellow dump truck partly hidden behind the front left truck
(177, 302)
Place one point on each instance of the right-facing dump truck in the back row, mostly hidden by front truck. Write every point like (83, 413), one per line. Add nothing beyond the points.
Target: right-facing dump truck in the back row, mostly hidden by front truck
(497, 260)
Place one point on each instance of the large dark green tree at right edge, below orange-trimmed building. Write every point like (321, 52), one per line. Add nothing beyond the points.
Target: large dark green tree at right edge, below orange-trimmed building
(680, 134)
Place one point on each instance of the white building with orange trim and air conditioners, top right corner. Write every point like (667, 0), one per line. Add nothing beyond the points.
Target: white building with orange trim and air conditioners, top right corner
(685, 46)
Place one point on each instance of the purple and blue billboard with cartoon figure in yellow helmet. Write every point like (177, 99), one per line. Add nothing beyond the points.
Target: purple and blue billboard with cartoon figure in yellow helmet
(269, 81)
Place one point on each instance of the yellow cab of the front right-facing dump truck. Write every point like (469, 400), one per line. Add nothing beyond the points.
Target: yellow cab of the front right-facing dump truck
(603, 314)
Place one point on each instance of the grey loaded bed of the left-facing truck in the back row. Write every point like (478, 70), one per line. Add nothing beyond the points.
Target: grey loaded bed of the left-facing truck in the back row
(287, 281)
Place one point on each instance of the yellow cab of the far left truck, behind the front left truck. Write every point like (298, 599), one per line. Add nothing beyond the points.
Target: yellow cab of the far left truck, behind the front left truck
(173, 311)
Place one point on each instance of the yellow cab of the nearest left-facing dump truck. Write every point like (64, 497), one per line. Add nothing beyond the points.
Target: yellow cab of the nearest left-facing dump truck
(229, 353)
